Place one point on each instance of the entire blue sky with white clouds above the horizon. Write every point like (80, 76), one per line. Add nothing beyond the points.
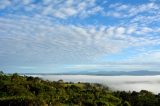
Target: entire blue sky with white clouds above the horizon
(79, 35)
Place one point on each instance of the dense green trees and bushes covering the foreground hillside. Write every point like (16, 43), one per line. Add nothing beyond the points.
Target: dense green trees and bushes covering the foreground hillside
(18, 90)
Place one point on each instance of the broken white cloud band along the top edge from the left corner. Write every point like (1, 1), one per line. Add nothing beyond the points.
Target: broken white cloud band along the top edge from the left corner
(62, 9)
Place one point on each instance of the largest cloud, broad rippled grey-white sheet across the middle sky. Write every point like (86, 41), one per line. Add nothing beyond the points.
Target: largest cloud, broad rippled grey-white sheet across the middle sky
(35, 40)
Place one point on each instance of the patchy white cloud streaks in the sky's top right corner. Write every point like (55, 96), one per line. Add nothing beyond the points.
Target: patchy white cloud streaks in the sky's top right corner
(142, 14)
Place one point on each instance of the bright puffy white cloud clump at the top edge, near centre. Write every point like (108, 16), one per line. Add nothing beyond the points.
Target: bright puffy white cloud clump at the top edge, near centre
(72, 8)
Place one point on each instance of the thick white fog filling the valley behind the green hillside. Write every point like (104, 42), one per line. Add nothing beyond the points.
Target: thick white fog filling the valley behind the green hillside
(126, 83)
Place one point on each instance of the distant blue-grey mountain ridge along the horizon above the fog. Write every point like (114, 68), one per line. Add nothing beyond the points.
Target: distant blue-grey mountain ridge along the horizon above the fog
(102, 73)
